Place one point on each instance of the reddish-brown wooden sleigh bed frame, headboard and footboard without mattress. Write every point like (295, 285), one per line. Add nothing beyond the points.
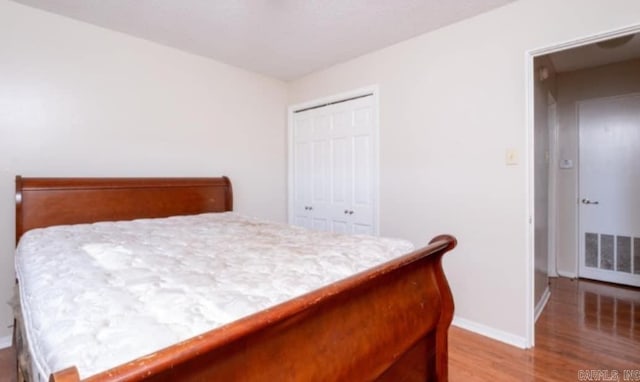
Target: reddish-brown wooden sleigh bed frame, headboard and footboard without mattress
(389, 323)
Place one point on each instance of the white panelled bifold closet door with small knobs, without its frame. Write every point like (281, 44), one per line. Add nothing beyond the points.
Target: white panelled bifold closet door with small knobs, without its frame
(334, 167)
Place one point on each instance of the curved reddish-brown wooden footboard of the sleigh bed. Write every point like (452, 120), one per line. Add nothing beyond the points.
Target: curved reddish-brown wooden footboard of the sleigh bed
(389, 323)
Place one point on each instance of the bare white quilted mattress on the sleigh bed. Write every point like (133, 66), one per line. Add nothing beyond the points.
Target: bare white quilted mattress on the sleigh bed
(98, 295)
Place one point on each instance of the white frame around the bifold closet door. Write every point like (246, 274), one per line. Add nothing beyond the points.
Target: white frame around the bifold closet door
(374, 90)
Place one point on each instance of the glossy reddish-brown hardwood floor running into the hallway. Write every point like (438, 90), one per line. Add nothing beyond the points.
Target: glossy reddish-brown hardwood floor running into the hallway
(585, 326)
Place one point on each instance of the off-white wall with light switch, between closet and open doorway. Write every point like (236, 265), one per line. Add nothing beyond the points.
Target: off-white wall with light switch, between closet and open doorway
(451, 102)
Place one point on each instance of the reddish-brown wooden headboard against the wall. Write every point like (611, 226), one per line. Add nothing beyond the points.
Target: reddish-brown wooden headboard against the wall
(43, 202)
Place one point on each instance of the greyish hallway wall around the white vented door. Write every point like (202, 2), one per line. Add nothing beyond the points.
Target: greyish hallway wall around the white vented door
(603, 81)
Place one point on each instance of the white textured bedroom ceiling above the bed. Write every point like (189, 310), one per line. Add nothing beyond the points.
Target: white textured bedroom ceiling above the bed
(280, 38)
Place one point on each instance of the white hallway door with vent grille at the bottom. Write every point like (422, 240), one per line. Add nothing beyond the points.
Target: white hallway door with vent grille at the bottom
(610, 189)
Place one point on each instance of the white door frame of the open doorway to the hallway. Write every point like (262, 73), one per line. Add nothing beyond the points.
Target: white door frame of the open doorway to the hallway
(529, 57)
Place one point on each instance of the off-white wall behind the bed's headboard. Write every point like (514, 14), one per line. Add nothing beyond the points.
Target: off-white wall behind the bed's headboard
(78, 100)
